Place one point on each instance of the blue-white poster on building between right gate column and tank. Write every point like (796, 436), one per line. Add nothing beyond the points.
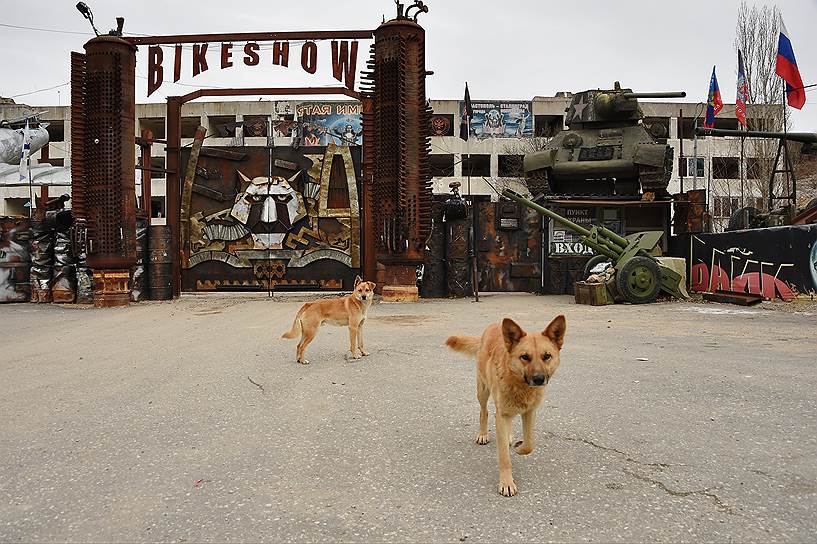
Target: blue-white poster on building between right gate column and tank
(501, 119)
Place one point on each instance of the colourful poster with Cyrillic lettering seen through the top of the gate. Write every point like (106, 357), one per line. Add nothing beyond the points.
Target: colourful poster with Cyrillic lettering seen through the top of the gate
(327, 123)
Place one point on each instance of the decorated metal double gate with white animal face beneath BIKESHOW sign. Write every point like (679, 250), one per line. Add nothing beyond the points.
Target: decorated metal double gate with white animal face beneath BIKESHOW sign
(282, 218)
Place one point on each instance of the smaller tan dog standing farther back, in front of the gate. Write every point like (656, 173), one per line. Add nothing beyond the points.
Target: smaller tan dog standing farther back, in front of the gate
(349, 310)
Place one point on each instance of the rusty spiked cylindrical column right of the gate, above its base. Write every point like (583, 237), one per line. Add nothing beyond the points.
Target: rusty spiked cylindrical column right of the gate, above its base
(397, 142)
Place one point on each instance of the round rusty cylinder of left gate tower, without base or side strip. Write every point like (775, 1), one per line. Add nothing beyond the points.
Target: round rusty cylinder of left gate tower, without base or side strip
(109, 197)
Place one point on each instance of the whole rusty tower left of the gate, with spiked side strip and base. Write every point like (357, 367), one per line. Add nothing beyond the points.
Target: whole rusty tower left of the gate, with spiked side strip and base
(103, 161)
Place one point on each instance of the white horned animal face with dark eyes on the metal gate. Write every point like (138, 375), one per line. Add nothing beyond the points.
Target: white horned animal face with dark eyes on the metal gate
(269, 207)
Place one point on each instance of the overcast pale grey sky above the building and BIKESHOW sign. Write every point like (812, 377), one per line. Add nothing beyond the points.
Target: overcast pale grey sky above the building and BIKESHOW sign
(511, 49)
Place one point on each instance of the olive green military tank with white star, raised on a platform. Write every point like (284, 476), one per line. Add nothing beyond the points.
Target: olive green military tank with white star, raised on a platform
(605, 150)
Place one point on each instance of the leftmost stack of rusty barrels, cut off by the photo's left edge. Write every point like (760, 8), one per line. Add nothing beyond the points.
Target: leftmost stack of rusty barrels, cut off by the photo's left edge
(15, 260)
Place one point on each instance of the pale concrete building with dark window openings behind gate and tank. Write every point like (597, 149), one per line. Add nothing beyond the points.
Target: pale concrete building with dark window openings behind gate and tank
(493, 161)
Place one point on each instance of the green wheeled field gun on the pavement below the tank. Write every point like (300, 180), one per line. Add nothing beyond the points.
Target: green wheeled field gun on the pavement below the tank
(639, 276)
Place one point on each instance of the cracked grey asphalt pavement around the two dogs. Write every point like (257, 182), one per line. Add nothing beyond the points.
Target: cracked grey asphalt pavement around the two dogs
(191, 421)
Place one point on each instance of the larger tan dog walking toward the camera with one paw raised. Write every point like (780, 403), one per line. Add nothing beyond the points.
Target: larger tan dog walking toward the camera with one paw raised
(512, 367)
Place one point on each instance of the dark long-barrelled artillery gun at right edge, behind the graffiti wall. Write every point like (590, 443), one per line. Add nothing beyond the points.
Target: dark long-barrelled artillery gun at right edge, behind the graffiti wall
(750, 217)
